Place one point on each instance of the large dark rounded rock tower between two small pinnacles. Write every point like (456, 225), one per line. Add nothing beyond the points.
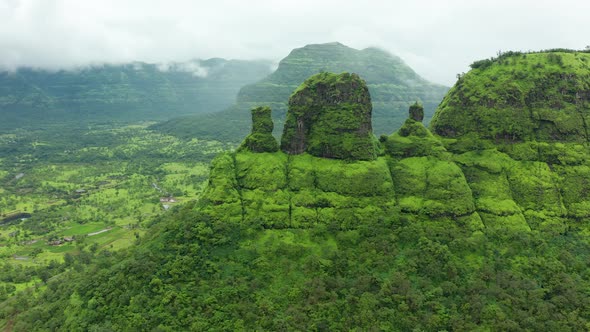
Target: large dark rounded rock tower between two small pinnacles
(330, 116)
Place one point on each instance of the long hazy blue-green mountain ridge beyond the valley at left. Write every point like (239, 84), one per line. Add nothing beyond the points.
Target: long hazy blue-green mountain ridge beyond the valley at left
(128, 92)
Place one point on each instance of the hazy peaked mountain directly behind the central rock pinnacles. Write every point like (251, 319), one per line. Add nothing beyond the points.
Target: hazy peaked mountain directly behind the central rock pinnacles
(392, 84)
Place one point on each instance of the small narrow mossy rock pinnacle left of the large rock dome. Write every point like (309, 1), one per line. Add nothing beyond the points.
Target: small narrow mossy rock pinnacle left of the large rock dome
(261, 139)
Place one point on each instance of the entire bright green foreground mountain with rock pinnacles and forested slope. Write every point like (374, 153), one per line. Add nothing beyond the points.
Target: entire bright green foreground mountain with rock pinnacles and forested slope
(458, 229)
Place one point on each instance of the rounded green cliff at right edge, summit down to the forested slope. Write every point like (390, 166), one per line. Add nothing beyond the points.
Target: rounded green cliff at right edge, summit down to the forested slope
(517, 125)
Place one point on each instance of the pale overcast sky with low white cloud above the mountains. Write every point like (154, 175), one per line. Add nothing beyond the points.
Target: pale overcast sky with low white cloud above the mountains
(437, 38)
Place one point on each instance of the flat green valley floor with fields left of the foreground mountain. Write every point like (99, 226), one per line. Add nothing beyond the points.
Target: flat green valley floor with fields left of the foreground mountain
(63, 189)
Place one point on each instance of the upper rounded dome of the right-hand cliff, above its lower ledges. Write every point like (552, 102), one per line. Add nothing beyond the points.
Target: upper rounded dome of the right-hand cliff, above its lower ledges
(520, 97)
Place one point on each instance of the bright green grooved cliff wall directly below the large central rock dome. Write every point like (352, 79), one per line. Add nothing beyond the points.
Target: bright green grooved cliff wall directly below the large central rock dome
(277, 190)
